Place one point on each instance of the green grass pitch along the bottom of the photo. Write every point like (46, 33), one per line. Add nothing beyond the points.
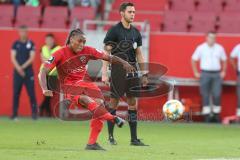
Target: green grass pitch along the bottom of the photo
(48, 139)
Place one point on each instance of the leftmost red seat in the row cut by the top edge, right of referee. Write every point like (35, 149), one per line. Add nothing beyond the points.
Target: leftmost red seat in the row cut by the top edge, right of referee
(183, 5)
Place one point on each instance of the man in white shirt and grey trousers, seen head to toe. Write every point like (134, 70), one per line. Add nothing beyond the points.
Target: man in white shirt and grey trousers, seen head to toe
(211, 55)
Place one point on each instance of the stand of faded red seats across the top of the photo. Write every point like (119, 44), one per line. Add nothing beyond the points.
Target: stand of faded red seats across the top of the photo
(192, 15)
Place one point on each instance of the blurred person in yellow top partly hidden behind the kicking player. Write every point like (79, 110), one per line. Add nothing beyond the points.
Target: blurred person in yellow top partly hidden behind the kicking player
(47, 50)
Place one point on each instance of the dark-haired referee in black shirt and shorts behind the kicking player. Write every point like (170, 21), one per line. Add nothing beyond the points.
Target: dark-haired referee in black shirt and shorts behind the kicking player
(125, 41)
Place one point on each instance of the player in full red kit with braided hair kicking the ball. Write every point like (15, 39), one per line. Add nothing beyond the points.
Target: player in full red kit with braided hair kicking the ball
(71, 61)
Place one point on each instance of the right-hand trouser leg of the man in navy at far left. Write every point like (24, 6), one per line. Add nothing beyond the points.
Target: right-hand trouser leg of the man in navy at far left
(29, 83)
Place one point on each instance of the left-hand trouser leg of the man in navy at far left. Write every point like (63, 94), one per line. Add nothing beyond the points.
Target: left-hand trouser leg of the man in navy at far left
(17, 86)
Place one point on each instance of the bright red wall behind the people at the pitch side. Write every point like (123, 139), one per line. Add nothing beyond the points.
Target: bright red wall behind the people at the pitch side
(173, 51)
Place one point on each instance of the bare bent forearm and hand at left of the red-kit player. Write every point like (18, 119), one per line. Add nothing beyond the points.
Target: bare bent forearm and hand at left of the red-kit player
(42, 77)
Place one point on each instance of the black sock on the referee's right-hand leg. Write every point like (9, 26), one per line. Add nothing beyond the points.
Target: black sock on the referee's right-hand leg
(132, 116)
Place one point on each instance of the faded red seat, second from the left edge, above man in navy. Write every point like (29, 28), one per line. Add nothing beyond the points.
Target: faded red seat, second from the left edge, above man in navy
(29, 16)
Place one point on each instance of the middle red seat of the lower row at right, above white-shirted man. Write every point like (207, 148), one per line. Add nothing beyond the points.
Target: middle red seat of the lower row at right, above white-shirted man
(203, 21)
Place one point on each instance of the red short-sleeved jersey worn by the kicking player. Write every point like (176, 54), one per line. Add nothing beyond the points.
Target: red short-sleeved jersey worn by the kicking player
(71, 66)
